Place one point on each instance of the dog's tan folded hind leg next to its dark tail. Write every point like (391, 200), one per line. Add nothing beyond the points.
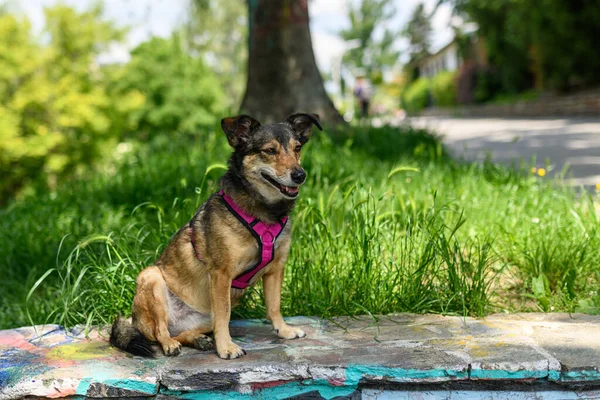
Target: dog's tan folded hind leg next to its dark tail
(151, 312)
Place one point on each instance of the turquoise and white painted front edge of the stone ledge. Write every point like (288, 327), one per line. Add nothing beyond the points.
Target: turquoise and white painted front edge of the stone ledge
(274, 381)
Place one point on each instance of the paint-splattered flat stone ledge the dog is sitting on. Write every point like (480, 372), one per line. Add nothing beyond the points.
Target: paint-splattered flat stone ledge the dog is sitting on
(338, 358)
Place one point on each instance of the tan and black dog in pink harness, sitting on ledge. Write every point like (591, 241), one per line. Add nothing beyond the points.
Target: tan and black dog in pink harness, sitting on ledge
(239, 235)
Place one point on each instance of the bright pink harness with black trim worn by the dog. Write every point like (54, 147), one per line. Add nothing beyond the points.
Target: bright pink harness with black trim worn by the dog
(265, 235)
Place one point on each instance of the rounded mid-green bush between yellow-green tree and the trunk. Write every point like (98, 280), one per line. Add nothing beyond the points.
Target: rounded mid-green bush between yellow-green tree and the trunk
(182, 94)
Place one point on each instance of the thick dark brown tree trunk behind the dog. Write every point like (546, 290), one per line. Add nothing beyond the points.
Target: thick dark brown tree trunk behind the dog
(283, 77)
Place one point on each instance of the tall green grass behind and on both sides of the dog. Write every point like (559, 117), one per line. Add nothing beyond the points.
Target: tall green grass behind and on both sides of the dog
(386, 222)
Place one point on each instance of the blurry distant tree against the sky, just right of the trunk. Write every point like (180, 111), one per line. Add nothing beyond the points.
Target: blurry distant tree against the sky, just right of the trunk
(371, 56)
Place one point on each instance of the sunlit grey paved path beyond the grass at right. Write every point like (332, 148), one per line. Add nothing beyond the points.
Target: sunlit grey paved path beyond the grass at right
(562, 141)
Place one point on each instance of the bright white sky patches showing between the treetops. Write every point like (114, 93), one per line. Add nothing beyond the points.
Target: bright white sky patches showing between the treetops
(159, 17)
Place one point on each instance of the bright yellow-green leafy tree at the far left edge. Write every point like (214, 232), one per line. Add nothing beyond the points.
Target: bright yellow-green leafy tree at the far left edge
(55, 114)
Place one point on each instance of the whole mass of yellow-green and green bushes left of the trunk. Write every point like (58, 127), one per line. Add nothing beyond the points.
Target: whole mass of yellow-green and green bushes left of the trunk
(61, 113)
